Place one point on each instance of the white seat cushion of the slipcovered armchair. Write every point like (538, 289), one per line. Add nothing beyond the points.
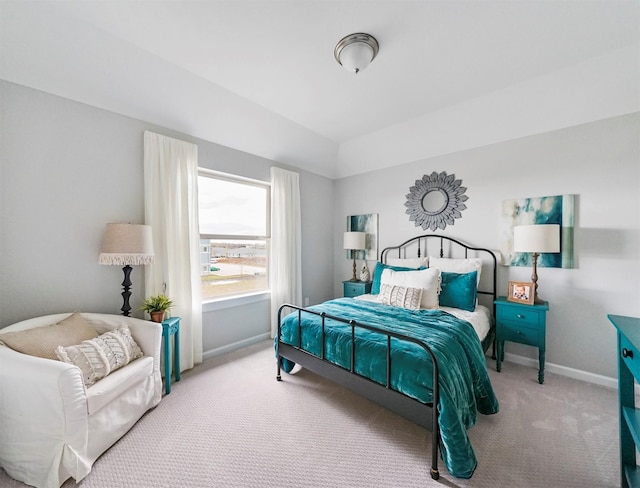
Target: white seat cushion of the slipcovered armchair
(112, 387)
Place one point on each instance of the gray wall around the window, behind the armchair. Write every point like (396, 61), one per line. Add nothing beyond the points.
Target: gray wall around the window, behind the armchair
(68, 169)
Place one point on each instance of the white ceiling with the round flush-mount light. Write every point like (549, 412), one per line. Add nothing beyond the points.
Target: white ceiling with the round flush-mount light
(260, 75)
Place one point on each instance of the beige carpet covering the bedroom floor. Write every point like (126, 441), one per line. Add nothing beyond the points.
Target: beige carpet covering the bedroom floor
(228, 423)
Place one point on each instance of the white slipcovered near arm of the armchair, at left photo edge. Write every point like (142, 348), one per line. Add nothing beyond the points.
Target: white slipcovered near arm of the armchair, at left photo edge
(51, 396)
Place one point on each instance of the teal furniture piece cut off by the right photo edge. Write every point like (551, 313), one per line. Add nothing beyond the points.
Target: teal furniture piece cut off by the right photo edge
(628, 373)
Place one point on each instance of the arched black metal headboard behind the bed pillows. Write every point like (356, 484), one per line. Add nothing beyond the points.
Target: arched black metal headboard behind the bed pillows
(448, 247)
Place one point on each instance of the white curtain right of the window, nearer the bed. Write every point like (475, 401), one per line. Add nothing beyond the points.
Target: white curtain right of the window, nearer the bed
(285, 275)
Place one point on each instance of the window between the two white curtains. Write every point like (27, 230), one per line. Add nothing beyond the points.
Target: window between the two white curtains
(234, 234)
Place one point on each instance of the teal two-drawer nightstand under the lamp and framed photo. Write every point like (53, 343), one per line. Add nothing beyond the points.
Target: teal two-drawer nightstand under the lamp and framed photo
(525, 324)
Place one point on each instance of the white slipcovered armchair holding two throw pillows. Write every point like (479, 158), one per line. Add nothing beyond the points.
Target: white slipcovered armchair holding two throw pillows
(52, 425)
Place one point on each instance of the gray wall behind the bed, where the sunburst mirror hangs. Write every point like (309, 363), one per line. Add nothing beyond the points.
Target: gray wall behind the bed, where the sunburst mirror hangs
(598, 162)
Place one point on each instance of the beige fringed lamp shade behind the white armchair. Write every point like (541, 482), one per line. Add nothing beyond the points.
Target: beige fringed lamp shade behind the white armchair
(127, 244)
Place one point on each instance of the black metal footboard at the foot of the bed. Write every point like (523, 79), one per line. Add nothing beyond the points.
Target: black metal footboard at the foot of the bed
(423, 414)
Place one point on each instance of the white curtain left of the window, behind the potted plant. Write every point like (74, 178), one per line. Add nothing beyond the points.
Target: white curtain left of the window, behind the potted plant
(171, 209)
